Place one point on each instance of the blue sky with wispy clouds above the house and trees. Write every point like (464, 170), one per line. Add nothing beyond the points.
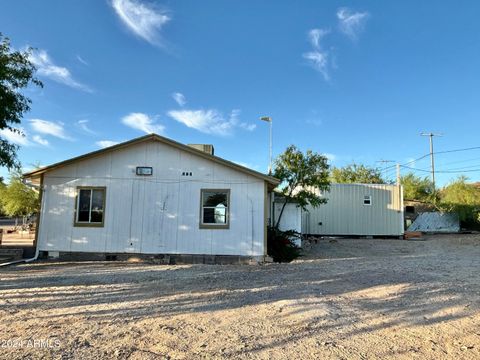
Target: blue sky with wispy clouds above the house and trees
(356, 80)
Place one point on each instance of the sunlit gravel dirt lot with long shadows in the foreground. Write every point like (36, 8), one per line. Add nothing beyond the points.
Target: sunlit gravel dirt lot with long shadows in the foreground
(349, 299)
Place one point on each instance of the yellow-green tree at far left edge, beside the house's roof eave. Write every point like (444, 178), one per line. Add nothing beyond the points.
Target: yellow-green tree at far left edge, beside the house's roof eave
(19, 199)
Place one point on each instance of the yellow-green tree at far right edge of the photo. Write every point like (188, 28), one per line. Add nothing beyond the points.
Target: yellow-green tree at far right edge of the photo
(463, 199)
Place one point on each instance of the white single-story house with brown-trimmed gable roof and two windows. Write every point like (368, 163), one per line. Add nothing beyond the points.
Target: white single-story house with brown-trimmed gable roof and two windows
(152, 195)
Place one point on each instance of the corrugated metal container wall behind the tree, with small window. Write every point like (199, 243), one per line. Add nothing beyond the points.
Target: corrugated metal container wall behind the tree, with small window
(346, 213)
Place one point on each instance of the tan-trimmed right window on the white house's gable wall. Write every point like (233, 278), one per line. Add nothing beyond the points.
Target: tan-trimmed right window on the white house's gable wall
(214, 212)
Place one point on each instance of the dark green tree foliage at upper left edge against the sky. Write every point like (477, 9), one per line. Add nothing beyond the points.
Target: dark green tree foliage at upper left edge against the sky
(16, 73)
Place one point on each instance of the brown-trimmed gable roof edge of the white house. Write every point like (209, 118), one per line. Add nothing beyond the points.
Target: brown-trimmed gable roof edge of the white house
(269, 179)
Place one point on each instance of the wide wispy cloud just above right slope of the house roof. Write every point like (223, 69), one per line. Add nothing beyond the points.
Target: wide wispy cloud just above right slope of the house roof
(210, 121)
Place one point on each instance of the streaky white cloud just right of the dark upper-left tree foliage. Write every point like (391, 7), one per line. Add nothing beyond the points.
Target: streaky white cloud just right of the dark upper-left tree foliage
(46, 67)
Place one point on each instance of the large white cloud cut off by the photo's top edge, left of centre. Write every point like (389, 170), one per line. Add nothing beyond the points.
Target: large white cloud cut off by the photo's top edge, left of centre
(143, 20)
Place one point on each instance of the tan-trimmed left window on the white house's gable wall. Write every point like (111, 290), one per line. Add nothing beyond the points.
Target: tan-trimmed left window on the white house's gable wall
(90, 206)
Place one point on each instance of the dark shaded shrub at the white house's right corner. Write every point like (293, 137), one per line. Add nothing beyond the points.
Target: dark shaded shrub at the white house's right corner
(280, 245)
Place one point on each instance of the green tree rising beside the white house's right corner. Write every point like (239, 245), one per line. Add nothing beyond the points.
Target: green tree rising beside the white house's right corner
(301, 174)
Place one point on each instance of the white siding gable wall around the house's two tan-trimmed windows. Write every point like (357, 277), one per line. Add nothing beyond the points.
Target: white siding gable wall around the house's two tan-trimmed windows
(152, 214)
